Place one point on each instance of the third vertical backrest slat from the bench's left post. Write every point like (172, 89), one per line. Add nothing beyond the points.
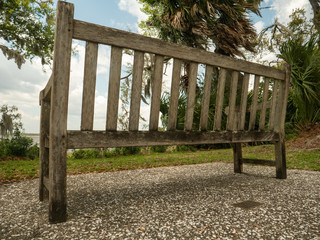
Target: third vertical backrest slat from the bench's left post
(138, 64)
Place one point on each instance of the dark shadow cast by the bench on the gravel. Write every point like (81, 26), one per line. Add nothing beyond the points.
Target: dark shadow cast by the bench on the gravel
(86, 202)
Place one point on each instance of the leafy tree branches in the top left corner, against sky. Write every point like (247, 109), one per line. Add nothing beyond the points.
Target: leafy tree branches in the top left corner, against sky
(27, 27)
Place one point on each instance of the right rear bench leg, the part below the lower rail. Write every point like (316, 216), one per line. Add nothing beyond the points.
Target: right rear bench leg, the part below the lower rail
(280, 155)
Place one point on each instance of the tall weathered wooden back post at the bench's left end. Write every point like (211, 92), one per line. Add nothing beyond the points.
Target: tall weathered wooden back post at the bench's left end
(59, 112)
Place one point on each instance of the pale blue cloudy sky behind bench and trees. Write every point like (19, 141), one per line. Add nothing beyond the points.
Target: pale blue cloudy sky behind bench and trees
(21, 87)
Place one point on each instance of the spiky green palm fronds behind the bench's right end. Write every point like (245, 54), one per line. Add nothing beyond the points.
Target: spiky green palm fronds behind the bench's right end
(304, 97)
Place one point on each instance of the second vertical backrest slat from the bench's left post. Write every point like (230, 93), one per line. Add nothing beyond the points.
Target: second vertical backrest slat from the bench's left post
(114, 88)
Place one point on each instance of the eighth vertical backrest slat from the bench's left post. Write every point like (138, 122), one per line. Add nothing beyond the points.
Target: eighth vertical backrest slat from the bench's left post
(219, 99)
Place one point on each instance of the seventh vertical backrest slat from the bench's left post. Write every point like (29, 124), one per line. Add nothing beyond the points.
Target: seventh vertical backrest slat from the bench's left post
(206, 98)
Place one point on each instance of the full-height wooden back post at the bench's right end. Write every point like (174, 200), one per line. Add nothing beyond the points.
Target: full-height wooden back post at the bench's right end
(280, 151)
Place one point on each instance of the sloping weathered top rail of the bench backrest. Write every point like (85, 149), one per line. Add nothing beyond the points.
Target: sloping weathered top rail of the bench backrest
(110, 36)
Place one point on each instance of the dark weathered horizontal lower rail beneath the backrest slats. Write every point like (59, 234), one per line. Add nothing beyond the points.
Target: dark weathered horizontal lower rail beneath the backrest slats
(103, 139)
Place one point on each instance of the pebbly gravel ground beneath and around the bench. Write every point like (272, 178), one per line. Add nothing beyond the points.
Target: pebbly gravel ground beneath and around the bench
(184, 202)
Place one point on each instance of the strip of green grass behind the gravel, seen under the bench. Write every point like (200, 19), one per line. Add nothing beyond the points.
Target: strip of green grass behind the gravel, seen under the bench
(13, 170)
